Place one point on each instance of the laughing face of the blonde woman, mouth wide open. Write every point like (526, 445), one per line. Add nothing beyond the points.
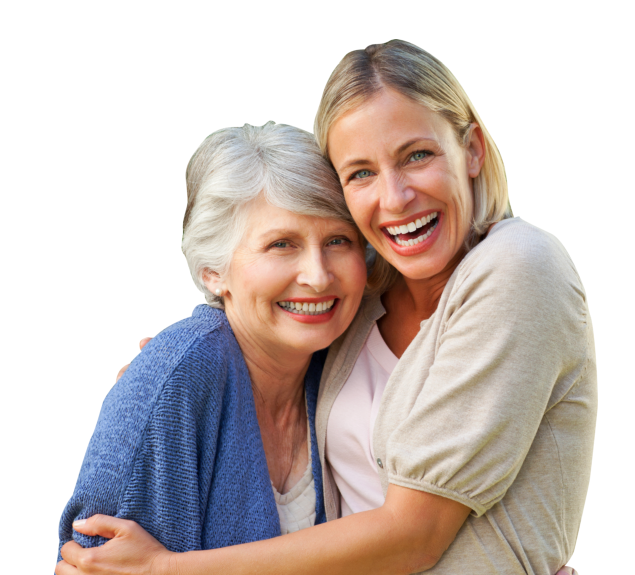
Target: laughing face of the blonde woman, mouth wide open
(407, 181)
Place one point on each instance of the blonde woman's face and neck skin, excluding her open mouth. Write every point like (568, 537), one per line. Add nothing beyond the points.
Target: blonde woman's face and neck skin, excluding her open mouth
(397, 159)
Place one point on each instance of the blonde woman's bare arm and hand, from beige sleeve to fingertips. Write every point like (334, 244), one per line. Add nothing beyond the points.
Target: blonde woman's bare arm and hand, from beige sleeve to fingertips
(409, 533)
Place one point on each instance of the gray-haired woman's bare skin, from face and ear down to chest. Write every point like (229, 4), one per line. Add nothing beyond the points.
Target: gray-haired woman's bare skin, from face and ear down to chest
(284, 256)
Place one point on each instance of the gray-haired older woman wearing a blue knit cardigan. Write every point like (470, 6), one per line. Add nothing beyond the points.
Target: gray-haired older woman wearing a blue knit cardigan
(209, 439)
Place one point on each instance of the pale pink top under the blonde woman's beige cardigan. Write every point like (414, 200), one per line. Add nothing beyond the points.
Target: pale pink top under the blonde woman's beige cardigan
(349, 445)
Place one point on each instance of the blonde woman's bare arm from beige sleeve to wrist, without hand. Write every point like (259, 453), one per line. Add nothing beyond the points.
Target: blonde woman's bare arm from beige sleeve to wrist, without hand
(409, 533)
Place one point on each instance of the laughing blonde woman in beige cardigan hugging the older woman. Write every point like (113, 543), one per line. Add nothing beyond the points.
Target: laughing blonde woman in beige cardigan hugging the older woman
(470, 447)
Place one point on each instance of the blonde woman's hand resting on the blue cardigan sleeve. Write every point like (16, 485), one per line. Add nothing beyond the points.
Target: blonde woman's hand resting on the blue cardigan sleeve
(130, 551)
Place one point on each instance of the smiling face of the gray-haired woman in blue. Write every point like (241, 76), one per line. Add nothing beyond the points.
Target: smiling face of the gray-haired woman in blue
(285, 262)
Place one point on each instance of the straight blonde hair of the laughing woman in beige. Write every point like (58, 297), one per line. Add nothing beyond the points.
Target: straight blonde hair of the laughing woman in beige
(418, 75)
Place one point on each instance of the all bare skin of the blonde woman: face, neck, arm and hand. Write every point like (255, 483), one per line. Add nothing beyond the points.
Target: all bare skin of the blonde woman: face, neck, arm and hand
(386, 182)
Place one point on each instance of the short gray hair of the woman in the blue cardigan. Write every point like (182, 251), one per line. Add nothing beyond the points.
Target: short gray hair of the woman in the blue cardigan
(231, 168)
